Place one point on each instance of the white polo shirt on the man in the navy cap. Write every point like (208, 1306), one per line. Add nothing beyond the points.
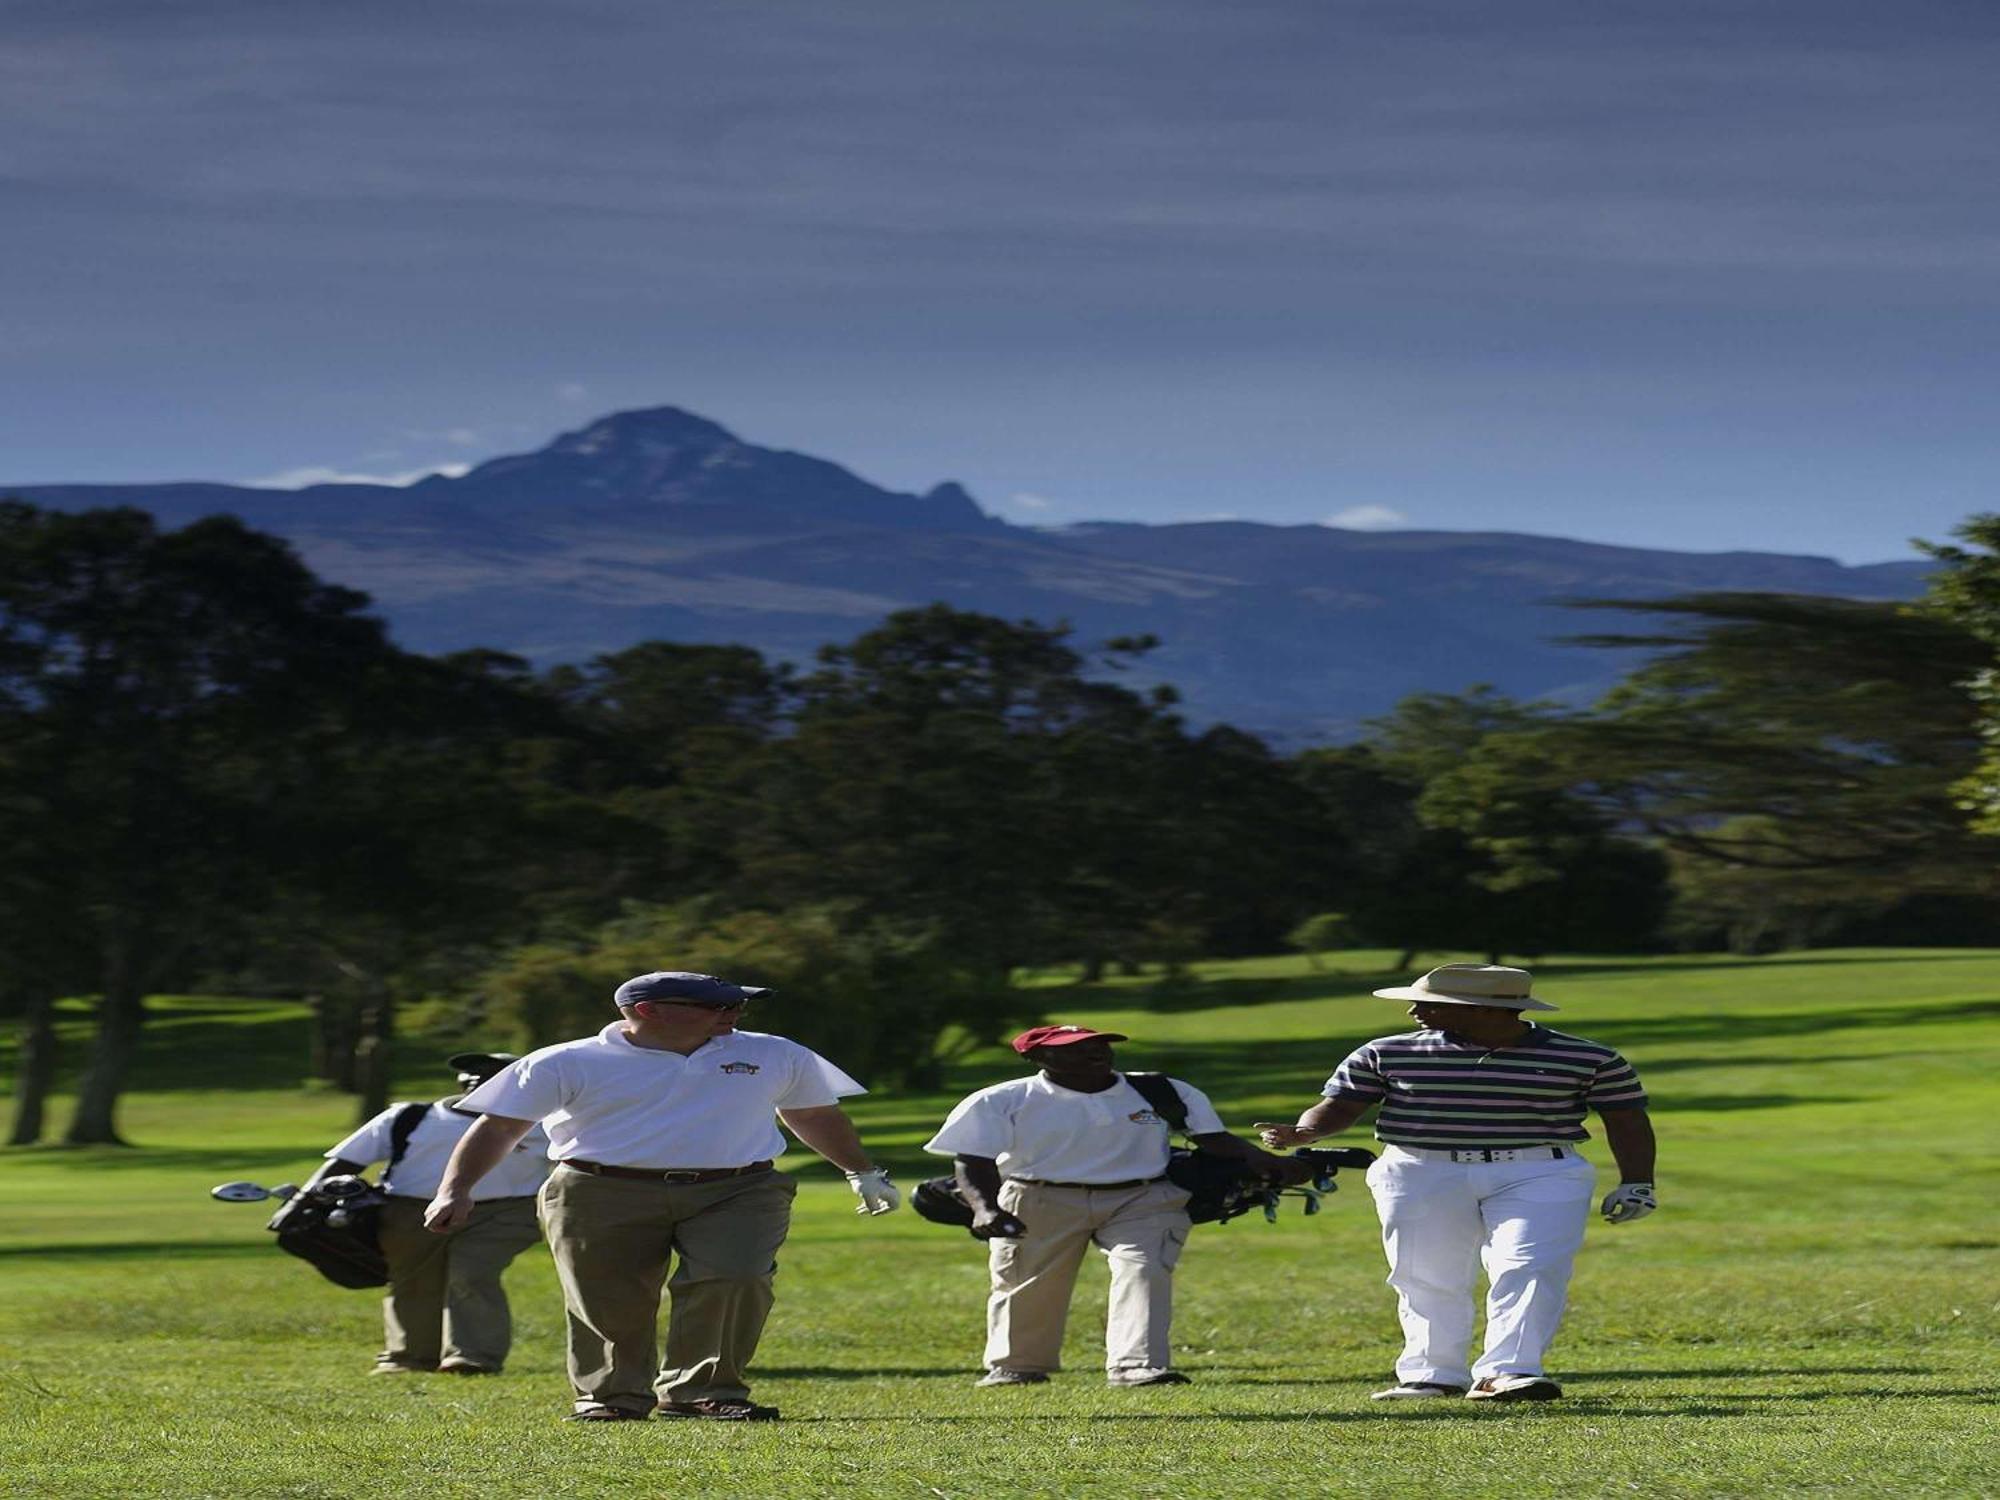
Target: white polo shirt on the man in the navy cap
(621, 1105)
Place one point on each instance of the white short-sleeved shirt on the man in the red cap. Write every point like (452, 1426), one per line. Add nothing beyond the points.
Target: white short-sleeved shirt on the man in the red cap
(1041, 1131)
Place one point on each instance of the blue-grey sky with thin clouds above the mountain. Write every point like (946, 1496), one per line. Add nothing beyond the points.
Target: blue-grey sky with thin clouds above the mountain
(1689, 273)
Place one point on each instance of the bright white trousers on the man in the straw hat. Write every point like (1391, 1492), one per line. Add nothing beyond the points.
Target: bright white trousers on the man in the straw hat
(1443, 1221)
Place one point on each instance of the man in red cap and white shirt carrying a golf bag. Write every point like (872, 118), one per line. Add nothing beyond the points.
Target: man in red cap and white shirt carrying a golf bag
(1061, 1161)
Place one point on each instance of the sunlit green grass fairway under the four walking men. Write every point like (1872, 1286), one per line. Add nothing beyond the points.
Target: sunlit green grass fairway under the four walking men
(1813, 1311)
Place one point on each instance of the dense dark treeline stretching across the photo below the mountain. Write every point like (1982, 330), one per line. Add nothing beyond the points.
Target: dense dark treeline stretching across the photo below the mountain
(217, 771)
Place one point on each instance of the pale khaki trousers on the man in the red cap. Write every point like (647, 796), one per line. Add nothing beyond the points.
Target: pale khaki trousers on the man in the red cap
(1141, 1233)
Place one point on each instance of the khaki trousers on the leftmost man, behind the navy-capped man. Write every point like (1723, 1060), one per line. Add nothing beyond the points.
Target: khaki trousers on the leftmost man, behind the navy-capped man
(445, 1301)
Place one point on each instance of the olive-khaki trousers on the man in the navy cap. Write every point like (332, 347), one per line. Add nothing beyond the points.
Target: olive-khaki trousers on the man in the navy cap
(613, 1243)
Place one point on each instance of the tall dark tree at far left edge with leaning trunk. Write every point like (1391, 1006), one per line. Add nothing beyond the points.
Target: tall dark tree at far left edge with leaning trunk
(147, 679)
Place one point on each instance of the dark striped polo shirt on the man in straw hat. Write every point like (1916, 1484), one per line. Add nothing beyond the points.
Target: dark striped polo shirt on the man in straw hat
(1443, 1093)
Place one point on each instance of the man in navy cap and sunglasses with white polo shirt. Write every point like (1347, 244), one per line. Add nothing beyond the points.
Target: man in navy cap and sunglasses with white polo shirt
(665, 1129)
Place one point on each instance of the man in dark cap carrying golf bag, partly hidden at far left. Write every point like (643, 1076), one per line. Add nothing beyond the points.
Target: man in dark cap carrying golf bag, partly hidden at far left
(445, 1307)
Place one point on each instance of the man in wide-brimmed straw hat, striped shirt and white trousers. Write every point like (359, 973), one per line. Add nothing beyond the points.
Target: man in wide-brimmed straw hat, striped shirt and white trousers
(1481, 1119)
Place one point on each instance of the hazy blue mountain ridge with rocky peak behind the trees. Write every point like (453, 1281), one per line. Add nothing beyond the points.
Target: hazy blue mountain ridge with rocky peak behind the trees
(665, 525)
